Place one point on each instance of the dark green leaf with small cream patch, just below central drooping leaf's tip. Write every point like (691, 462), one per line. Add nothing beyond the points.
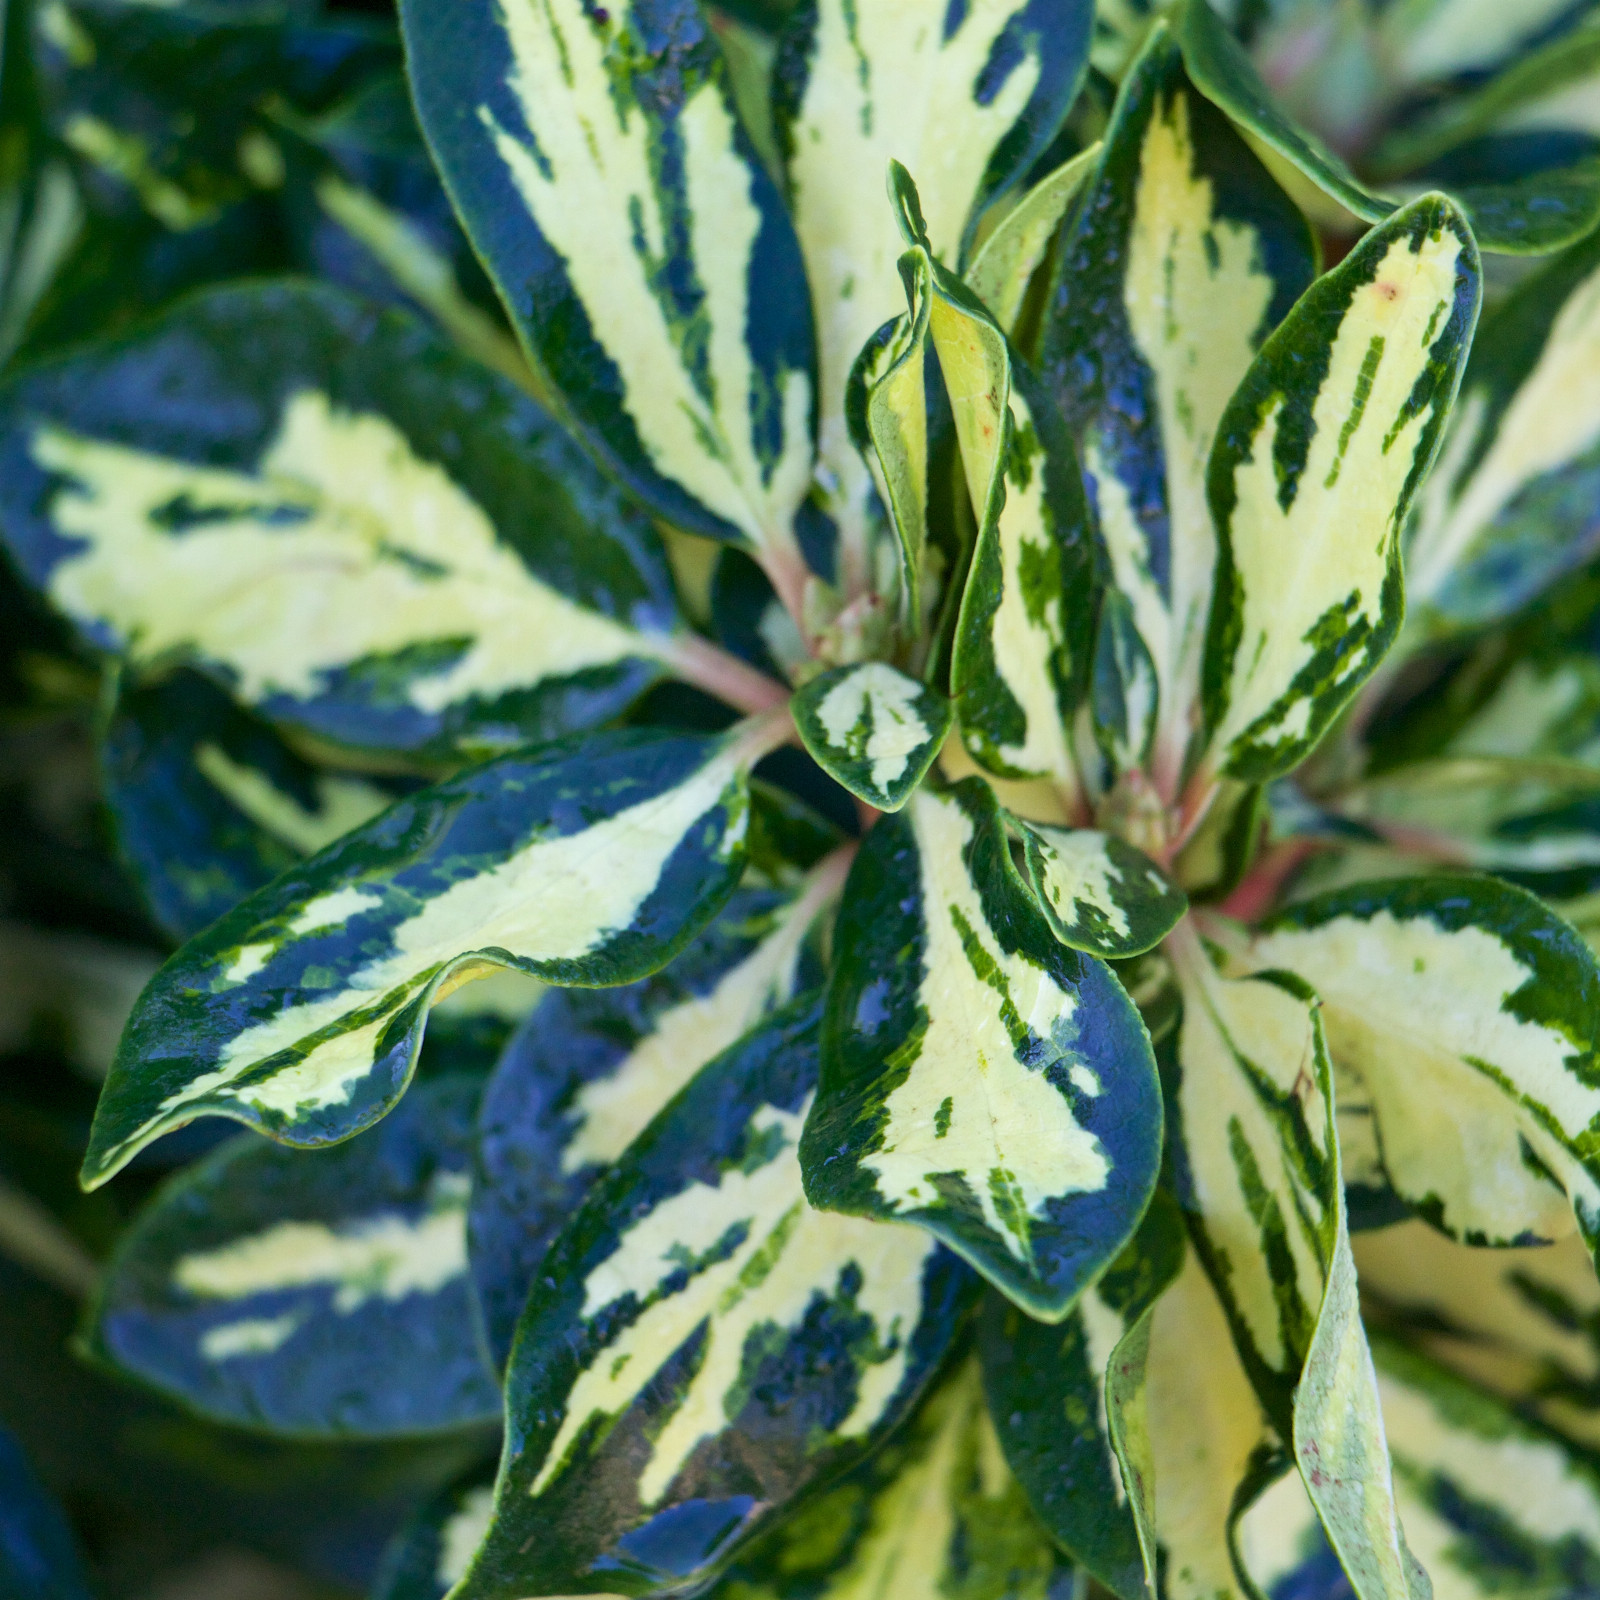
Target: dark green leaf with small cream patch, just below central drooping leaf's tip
(1047, 1391)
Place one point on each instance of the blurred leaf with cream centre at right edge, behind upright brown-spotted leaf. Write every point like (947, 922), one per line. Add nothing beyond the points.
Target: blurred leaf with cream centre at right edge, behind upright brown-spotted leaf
(1510, 508)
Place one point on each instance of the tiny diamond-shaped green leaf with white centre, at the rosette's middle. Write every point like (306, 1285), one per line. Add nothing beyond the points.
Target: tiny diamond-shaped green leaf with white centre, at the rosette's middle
(873, 730)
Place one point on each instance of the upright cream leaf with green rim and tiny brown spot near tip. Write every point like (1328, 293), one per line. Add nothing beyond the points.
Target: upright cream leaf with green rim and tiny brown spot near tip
(1311, 479)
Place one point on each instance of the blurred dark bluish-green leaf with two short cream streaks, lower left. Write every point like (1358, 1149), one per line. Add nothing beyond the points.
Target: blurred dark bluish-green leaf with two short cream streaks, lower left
(319, 1298)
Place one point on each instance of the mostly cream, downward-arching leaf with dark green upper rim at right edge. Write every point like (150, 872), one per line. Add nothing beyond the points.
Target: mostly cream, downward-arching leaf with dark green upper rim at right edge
(1470, 1014)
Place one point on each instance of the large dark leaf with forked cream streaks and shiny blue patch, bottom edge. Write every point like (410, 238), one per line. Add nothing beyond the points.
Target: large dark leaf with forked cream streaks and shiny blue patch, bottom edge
(702, 1346)
